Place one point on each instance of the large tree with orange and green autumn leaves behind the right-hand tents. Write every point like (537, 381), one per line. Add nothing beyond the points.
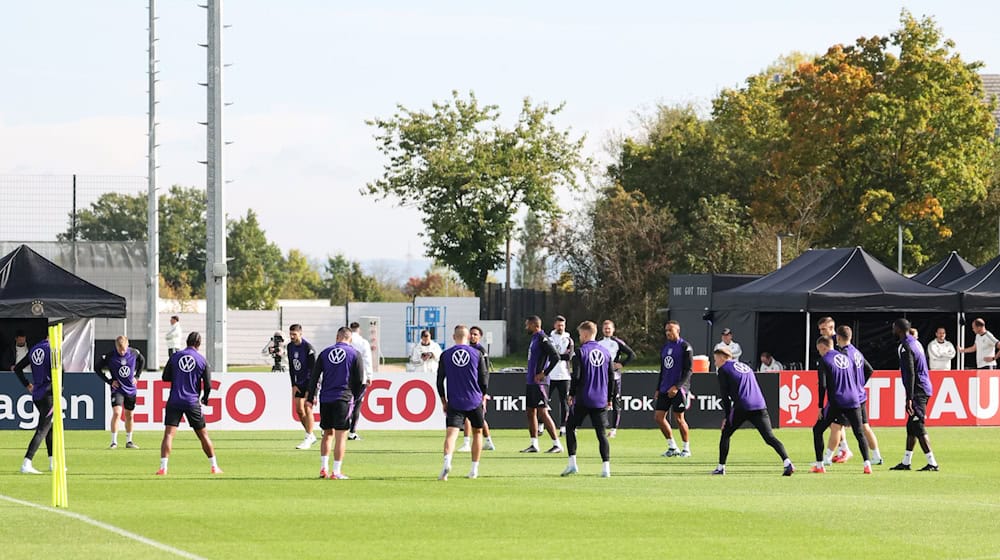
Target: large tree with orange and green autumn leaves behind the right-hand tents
(884, 140)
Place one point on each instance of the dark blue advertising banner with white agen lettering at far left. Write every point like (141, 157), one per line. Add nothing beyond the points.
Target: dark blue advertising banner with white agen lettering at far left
(84, 403)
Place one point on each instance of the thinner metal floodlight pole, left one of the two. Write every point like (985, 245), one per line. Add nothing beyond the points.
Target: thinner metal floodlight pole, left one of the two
(152, 205)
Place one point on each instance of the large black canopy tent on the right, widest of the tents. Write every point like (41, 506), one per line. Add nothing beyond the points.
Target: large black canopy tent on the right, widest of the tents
(848, 283)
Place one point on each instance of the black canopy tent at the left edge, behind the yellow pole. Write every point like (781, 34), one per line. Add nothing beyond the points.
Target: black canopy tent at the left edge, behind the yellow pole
(34, 290)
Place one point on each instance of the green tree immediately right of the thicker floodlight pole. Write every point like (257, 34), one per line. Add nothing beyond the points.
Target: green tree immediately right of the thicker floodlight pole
(255, 265)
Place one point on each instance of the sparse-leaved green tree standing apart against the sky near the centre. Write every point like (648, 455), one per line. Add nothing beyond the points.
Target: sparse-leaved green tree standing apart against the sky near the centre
(469, 176)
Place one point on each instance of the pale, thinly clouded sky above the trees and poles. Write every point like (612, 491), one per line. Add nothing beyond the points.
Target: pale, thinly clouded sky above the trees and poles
(308, 73)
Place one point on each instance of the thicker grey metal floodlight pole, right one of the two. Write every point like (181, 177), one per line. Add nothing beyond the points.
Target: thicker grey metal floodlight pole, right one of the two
(215, 262)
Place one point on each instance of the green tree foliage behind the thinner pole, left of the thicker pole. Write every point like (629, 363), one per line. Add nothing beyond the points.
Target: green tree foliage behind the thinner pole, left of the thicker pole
(182, 216)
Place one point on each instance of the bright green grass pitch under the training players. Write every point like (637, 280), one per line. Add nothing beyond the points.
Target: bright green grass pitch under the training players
(269, 504)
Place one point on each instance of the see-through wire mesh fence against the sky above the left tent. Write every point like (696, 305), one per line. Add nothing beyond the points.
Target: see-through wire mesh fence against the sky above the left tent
(40, 207)
